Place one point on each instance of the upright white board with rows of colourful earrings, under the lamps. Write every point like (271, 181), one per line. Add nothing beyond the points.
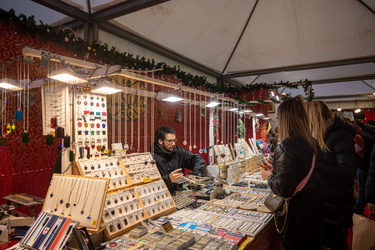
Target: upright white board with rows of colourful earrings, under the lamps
(91, 125)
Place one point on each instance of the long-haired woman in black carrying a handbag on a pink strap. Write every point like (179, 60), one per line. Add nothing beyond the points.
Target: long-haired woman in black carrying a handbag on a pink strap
(301, 228)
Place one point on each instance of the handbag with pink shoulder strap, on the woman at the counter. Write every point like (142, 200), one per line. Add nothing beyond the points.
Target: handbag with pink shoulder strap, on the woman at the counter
(279, 205)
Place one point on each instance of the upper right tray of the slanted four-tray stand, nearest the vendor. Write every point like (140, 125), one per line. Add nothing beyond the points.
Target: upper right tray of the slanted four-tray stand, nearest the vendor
(141, 167)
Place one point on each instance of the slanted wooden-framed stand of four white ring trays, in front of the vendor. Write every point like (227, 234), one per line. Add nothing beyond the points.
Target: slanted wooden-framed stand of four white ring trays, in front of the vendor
(140, 195)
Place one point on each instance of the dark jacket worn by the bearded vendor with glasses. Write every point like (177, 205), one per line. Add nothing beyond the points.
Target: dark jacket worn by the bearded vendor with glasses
(168, 161)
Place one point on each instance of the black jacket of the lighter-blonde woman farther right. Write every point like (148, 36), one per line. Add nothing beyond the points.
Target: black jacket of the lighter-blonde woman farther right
(339, 172)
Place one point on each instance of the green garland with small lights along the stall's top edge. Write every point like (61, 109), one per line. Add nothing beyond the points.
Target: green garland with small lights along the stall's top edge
(27, 25)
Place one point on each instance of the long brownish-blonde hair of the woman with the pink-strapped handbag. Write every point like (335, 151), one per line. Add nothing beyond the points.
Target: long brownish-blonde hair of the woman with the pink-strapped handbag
(293, 120)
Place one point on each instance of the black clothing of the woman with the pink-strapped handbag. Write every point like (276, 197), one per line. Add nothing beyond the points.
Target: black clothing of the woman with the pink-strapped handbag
(291, 164)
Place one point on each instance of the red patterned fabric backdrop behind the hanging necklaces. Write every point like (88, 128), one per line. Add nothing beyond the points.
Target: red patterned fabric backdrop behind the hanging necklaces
(26, 168)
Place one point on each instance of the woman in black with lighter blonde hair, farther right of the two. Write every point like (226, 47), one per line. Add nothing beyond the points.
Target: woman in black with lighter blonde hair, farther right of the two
(335, 138)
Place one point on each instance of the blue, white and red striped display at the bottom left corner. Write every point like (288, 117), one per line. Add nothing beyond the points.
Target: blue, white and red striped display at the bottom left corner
(49, 231)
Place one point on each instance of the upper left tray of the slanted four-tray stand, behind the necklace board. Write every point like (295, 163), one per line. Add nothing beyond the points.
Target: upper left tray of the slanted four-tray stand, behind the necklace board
(108, 167)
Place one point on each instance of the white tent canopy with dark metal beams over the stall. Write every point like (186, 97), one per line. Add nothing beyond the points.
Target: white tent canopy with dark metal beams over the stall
(331, 43)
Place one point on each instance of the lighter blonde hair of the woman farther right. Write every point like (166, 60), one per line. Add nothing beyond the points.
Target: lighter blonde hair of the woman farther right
(321, 118)
